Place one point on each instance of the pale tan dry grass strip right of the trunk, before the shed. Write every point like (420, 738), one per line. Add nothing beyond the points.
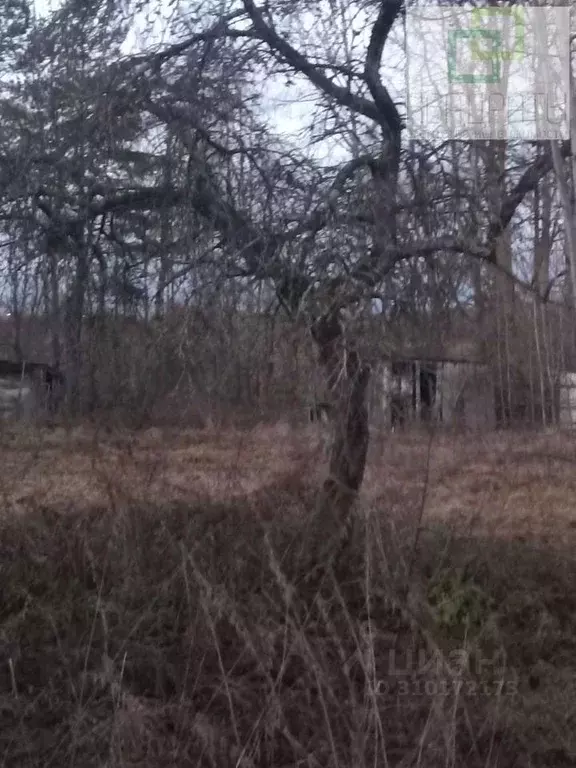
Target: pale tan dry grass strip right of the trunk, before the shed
(507, 485)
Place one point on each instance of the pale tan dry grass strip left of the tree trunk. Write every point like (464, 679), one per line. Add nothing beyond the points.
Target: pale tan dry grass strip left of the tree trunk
(85, 466)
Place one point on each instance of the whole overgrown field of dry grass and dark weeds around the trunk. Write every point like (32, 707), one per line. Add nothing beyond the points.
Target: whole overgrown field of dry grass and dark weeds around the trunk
(156, 608)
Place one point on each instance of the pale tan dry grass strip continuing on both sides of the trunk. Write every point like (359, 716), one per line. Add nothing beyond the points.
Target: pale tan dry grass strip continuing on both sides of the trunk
(507, 485)
